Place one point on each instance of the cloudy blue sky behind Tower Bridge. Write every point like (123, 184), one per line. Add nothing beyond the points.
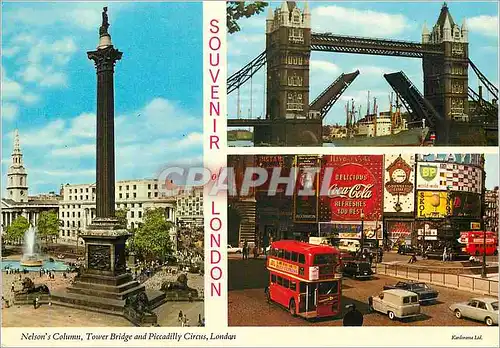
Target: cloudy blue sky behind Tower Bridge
(394, 20)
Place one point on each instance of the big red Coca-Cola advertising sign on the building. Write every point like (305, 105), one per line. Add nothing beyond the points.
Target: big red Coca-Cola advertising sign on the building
(355, 190)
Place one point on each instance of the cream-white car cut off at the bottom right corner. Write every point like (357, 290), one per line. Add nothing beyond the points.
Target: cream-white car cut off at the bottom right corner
(484, 309)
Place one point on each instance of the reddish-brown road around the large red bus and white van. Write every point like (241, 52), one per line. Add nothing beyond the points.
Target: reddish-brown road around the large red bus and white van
(248, 306)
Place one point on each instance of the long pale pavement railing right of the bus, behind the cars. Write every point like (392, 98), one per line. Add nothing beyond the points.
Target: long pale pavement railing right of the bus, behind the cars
(456, 281)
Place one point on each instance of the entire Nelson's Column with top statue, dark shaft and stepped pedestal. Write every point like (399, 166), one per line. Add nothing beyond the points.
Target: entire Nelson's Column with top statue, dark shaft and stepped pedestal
(104, 284)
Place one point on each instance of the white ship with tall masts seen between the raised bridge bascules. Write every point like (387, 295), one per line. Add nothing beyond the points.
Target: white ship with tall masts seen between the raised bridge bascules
(389, 128)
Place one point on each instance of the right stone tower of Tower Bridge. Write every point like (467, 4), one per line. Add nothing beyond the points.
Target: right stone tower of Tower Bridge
(446, 76)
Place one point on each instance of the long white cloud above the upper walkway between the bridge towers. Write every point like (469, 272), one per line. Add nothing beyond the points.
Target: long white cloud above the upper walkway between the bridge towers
(344, 20)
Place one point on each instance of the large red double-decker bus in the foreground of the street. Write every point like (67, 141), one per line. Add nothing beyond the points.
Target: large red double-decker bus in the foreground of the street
(304, 278)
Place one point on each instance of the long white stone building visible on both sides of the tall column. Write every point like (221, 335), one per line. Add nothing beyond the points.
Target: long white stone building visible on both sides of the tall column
(77, 208)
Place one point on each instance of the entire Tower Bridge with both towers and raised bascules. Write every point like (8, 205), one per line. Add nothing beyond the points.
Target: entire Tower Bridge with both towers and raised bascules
(292, 120)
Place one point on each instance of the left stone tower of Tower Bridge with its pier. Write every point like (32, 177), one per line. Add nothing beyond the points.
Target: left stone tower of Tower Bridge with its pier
(288, 47)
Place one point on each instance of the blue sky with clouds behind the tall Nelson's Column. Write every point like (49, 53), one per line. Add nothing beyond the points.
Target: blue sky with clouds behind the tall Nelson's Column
(49, 88)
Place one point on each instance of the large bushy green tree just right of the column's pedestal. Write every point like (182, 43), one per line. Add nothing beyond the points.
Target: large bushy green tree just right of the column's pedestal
(152, 240)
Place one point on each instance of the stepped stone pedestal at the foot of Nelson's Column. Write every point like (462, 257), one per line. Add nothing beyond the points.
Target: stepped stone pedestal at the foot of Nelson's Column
(104, 285)
